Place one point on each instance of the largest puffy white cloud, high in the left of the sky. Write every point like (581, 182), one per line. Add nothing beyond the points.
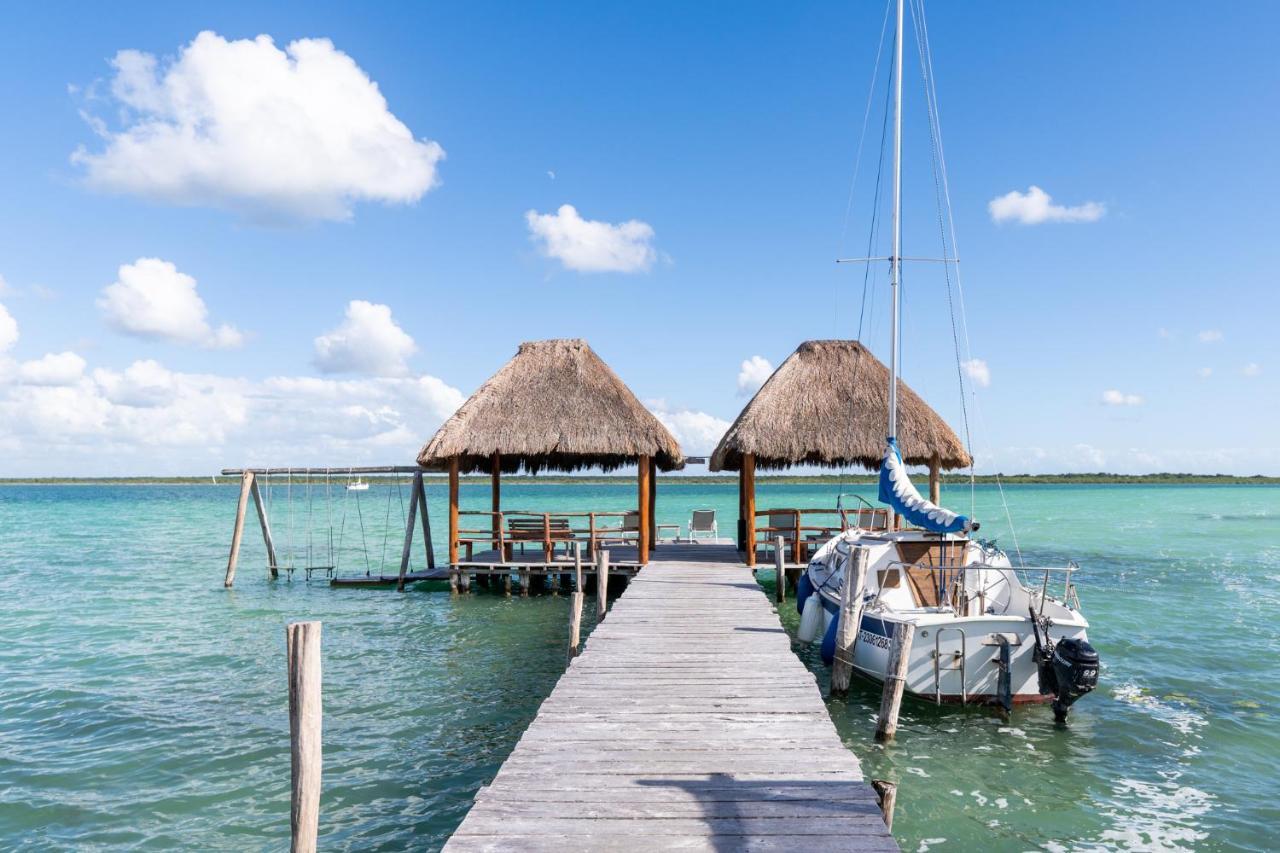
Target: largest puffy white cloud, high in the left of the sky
(300, 133)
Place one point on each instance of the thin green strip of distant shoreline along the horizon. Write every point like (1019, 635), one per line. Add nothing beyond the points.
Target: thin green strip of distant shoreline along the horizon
(714, 480)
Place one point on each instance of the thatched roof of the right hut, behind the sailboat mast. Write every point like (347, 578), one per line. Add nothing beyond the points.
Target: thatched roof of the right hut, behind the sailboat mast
(829, 405)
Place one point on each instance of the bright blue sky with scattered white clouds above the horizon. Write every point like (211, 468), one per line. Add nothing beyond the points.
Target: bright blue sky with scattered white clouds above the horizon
(1142, 340)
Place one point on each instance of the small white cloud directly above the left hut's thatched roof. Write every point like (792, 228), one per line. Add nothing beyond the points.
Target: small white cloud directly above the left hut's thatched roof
(592, 247)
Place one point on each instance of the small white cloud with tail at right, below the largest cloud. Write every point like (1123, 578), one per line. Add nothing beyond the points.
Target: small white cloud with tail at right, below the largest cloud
(152, 299)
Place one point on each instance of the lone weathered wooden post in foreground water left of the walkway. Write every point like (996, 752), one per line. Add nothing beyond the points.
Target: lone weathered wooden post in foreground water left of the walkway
(303, 647)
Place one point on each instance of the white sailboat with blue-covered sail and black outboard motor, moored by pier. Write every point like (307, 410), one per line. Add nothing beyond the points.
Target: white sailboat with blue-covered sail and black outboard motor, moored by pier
(980, 630)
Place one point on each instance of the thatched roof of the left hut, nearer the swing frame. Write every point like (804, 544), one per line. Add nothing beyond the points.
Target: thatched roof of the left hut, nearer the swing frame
(555, 407)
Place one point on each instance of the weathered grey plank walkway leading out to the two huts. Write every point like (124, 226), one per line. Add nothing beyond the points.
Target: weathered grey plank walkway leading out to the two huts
(687, 724)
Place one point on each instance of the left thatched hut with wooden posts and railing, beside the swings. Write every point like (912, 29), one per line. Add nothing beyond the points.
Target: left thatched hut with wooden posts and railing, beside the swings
(556, 407)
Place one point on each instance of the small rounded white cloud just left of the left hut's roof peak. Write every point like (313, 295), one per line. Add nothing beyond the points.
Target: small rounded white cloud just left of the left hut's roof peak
(368, 343)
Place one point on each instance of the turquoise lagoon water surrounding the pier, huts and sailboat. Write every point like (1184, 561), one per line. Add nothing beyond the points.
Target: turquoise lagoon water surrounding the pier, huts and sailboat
(143, 706)
